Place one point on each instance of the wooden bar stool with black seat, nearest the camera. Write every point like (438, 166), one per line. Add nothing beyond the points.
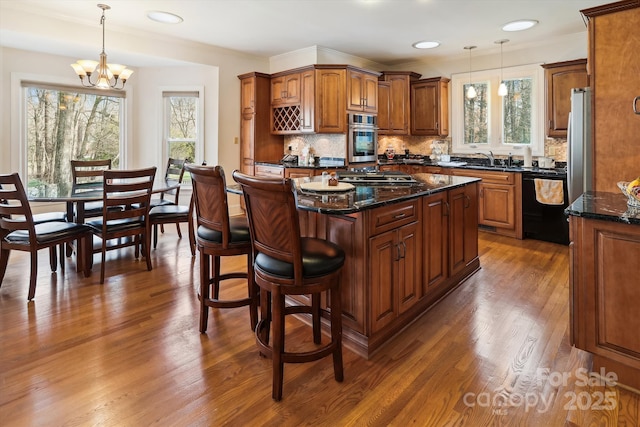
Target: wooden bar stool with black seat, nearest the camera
(287, 264)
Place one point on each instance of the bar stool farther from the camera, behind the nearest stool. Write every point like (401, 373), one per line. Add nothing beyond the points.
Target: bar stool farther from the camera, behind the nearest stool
(219, 235)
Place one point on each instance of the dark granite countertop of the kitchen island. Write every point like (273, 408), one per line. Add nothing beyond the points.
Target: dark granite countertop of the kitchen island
(367, 196)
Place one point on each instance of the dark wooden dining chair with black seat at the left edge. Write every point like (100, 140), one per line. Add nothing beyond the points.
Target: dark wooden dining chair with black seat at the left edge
(19, 231)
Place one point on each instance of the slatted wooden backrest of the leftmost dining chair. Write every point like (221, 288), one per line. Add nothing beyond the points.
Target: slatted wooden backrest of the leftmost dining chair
(14, 203)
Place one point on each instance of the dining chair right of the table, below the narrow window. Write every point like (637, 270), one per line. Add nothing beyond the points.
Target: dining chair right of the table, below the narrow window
(167, 211)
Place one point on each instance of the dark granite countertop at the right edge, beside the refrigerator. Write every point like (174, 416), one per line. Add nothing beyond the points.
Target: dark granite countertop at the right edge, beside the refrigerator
(604, 206)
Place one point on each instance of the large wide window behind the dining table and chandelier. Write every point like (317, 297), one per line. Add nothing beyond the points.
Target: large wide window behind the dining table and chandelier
(65, 123)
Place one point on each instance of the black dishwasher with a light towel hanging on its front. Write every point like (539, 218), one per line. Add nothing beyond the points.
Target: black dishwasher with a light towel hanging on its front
(544, 221)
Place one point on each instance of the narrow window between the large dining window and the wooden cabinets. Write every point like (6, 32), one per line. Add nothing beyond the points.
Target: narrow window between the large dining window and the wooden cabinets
(182, 126)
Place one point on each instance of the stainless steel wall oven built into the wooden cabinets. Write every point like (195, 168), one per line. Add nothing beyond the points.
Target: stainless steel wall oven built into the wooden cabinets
(362, 141)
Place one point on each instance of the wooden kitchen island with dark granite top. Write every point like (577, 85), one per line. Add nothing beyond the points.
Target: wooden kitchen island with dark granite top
(407, 245)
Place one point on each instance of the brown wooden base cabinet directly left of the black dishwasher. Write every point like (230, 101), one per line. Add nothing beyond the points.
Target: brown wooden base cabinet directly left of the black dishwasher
(500, 200)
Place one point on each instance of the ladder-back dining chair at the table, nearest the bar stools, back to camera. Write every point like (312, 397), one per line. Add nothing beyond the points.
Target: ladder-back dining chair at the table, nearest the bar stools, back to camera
(132, 189)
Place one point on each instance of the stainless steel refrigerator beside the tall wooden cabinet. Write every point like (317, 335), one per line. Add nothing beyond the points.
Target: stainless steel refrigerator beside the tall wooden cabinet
(579, 144)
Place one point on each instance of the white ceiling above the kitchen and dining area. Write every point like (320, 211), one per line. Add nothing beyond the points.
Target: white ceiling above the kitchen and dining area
(378, 30)
